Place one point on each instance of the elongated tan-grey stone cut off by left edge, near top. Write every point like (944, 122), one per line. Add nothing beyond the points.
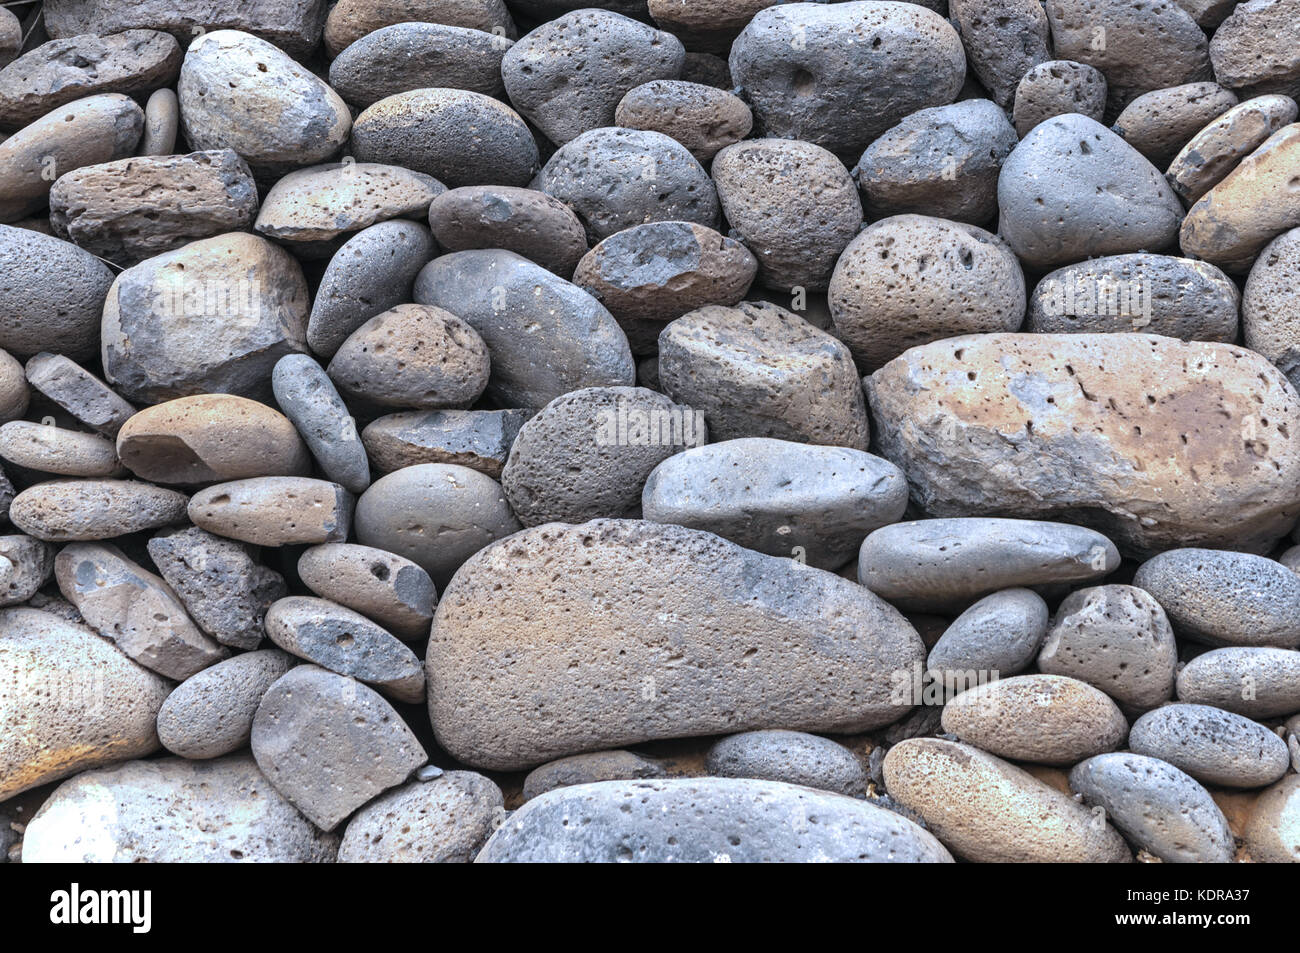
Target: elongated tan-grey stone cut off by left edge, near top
(86, 132)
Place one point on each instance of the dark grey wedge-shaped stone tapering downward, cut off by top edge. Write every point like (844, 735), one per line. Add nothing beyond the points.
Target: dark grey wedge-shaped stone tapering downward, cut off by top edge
(1003, 41)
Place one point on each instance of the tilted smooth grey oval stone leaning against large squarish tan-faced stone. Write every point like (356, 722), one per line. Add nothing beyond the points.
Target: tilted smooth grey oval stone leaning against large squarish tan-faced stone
(374, 272)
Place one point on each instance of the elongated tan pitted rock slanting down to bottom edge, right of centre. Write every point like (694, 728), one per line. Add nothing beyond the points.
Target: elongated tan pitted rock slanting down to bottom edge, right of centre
(987, 811)
